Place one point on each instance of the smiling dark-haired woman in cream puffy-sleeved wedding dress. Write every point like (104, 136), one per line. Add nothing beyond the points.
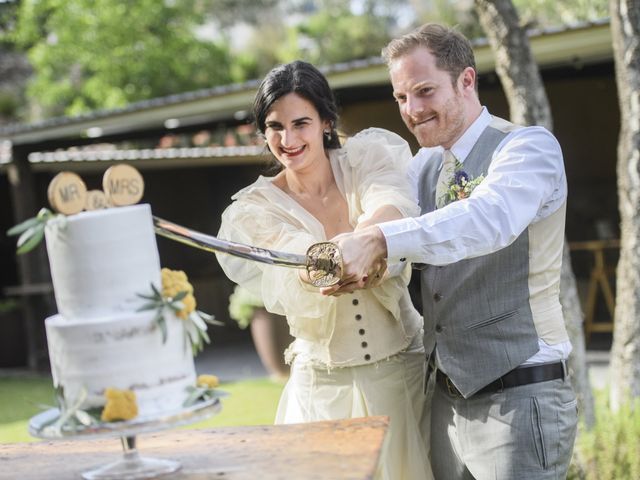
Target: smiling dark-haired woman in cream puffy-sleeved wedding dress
(354, 355)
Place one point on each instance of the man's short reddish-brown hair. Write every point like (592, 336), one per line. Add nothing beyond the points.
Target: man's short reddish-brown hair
(452, 50)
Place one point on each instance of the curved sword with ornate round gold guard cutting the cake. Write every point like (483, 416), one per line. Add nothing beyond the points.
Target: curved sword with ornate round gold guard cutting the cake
(323, 261)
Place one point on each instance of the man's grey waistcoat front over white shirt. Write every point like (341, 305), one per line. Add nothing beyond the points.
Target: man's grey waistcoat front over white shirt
(477, 311)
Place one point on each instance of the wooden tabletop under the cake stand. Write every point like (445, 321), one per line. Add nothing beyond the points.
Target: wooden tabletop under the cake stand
(330, 450)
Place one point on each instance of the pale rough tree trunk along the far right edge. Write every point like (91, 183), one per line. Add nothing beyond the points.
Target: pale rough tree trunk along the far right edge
(625, 353)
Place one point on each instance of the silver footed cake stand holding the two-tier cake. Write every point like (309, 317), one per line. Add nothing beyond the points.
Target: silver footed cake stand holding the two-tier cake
(132, 466)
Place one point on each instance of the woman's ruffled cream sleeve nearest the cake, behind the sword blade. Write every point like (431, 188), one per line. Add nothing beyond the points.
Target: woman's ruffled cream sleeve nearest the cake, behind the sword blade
(264, 218)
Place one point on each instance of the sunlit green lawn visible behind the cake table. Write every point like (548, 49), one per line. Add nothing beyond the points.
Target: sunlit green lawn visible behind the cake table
(251, 402)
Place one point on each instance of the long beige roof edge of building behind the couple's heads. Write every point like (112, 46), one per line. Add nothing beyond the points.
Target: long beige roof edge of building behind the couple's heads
(579, 44)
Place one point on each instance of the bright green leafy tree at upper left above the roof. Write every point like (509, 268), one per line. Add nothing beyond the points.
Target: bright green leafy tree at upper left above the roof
(95, 54)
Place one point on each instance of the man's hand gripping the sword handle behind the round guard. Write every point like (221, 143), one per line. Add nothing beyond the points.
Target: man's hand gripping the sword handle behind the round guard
(363, 254)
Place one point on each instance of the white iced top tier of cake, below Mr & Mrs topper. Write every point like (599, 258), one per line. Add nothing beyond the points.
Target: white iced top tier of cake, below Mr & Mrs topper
(100, 260)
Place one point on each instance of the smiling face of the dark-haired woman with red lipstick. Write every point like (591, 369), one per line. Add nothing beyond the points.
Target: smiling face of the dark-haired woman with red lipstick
(294, 132)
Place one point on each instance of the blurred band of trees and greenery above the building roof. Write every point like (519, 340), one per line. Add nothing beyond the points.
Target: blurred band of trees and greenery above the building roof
(97, 54)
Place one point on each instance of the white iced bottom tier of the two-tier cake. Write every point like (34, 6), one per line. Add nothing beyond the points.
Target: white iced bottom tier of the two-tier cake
(124, 352)
